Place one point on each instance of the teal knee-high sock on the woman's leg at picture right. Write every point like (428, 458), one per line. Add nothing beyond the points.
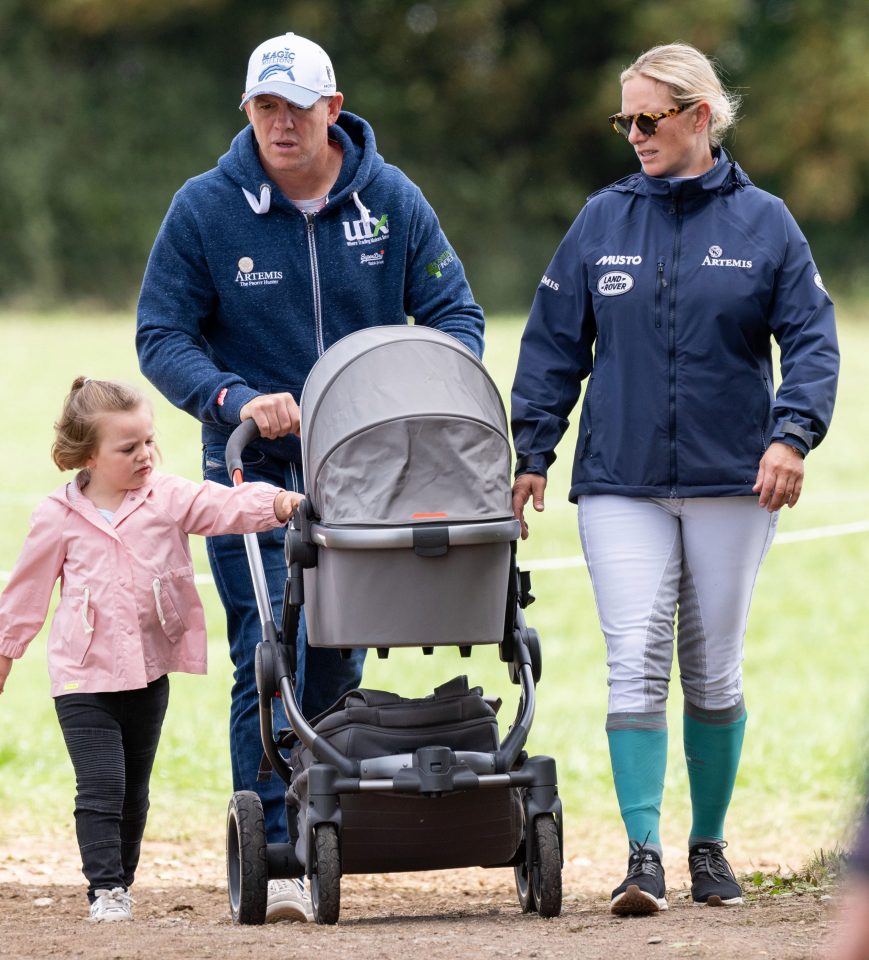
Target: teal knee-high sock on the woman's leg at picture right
(713, 744)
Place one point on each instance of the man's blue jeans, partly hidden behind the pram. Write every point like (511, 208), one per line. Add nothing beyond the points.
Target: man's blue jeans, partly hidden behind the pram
(322, 675)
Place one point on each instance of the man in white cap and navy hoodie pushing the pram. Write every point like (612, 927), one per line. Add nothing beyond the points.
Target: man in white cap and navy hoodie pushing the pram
(300, 235)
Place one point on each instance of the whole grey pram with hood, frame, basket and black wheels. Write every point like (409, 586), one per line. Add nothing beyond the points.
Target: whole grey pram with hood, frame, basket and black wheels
(406, 538)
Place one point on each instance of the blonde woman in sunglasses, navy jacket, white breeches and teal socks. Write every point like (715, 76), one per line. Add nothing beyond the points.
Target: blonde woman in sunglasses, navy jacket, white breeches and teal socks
(665, 293)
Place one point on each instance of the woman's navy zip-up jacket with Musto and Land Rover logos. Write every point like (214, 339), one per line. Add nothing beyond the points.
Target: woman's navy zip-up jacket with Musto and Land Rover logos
(665, 294)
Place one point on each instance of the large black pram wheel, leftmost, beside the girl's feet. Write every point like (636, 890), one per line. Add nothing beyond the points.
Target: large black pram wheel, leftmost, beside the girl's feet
(246, 858)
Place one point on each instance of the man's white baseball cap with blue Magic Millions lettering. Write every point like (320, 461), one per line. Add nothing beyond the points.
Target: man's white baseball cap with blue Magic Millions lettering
(290, 67)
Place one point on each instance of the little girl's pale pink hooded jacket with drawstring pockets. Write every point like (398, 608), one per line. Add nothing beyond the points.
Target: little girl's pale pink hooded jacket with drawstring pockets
(128, 611)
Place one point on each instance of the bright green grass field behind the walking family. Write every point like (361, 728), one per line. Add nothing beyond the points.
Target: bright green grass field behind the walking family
(807, 656)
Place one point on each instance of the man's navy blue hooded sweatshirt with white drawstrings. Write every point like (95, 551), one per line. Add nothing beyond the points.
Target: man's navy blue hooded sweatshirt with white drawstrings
(242, 292)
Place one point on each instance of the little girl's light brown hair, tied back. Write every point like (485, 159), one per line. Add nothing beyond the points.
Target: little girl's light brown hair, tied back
(76, 433)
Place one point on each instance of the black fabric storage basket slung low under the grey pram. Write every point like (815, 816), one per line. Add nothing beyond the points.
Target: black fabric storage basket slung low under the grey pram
(384, 833)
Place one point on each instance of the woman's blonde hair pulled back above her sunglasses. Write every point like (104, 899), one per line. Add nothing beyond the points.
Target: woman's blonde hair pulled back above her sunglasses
(691, 77)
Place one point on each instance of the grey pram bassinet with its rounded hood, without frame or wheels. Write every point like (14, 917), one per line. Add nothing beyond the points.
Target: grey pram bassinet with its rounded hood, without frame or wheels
(405, 452)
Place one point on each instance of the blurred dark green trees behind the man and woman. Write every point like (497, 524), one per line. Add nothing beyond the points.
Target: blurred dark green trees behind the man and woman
(495, 107)
